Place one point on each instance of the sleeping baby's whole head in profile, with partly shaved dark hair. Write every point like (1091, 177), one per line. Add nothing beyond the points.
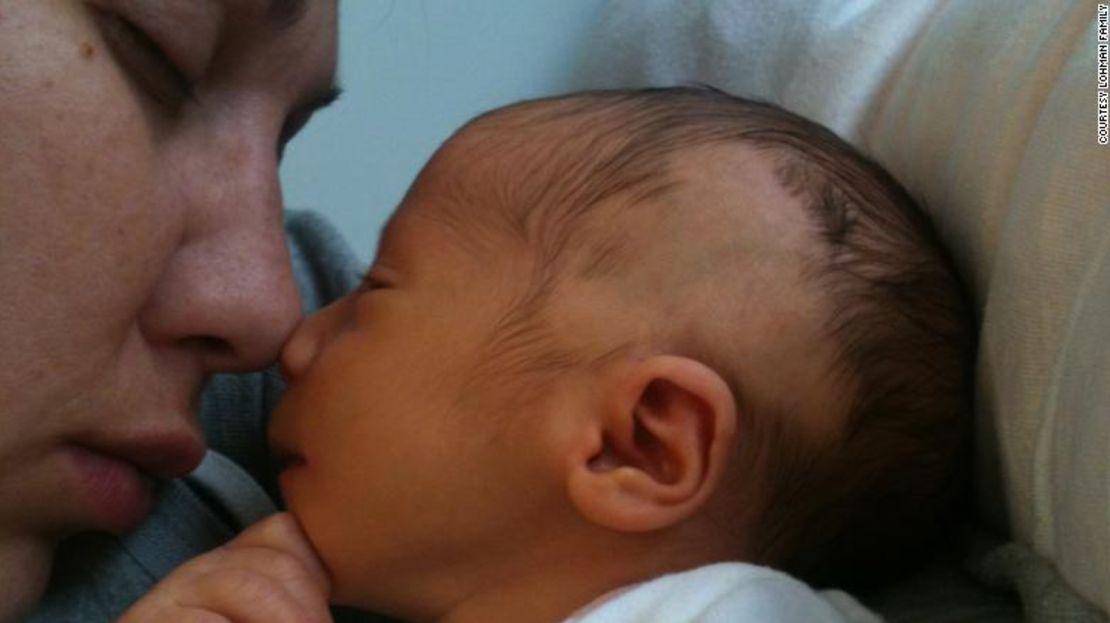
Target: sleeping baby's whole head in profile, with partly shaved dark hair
(614, 335)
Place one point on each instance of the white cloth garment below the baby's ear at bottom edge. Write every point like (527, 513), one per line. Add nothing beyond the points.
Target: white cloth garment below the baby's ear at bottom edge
(724, 594)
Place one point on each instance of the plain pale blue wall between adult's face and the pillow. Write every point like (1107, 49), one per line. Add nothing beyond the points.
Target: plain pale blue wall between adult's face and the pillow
(412, 73)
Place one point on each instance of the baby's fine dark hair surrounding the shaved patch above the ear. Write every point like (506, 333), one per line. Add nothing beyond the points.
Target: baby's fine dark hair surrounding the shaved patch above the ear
(850, 511)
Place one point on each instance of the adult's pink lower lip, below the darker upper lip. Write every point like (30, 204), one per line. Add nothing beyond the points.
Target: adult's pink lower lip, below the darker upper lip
(114, 491)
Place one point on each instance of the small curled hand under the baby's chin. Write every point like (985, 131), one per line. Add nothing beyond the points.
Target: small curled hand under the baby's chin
(269, 574)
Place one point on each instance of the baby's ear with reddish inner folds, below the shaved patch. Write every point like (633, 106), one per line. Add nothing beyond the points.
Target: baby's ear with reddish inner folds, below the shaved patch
(659, 447)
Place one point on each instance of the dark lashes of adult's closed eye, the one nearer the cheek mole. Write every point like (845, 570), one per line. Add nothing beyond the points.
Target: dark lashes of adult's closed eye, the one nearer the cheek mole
(146, 62)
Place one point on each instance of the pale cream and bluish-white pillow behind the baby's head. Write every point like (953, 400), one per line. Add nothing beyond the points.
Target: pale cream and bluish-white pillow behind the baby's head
(987, 110)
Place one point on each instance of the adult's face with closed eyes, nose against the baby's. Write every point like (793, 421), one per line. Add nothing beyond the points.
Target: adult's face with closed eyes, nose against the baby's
(142, 244)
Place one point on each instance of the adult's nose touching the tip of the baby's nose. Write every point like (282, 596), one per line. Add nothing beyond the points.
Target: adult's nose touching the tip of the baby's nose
(228, 290)
